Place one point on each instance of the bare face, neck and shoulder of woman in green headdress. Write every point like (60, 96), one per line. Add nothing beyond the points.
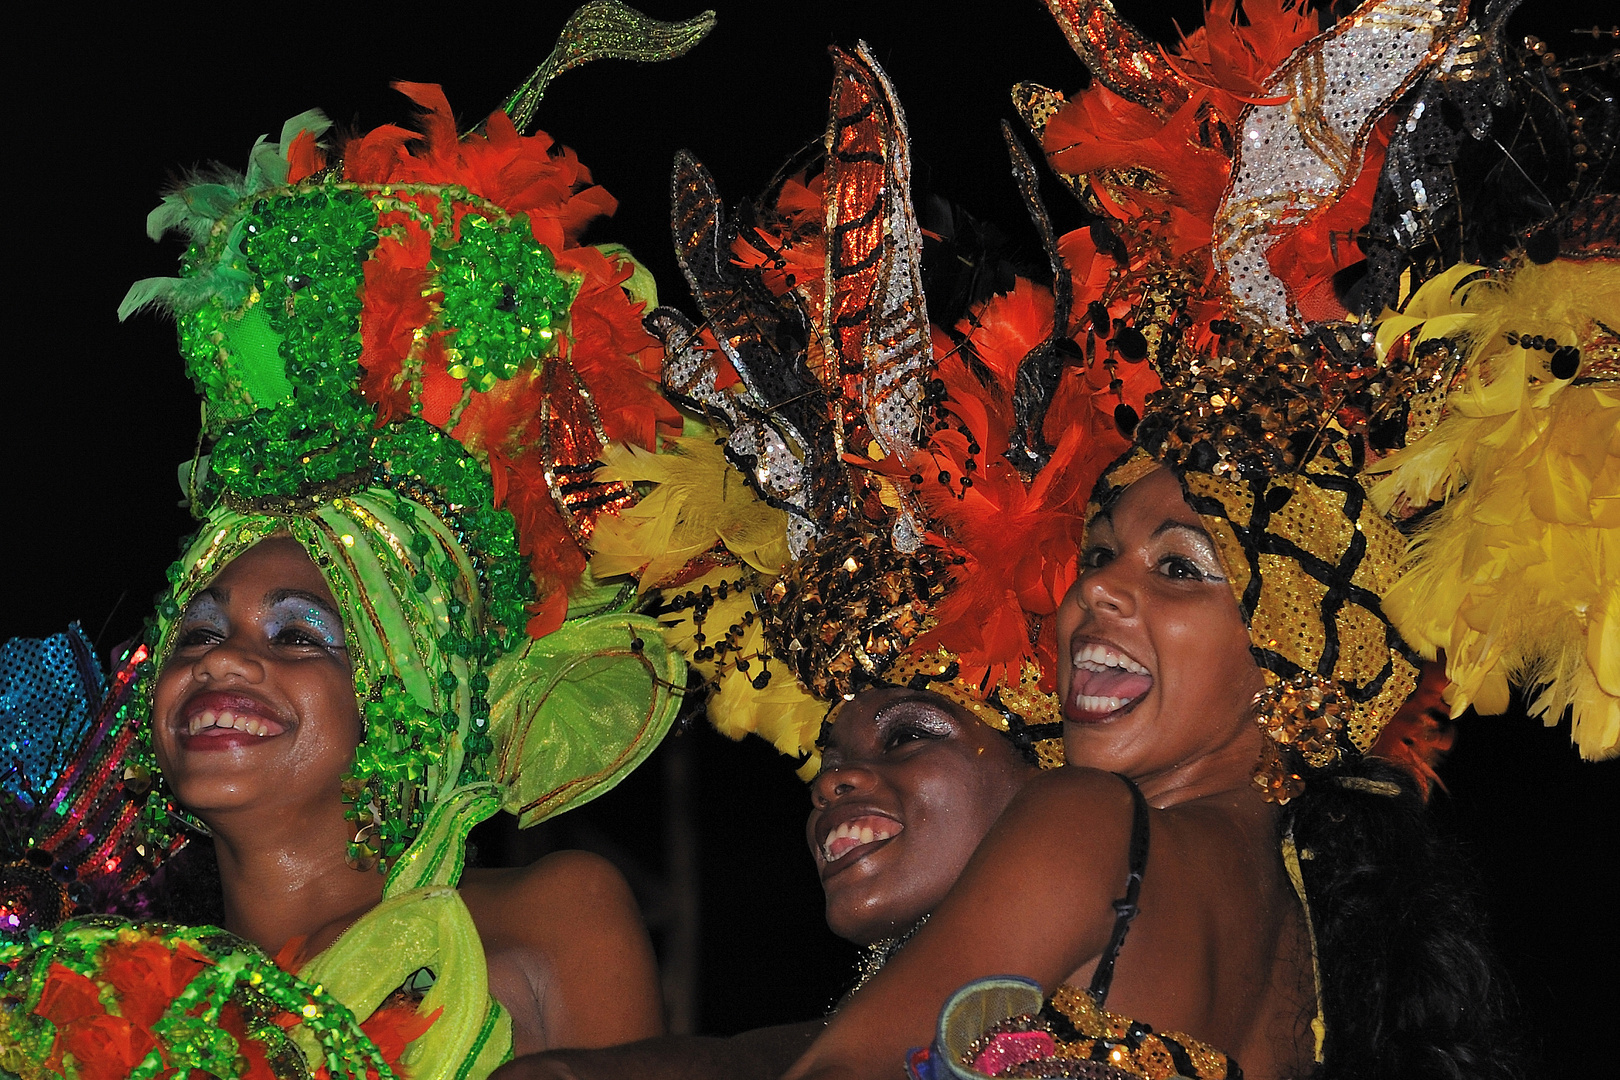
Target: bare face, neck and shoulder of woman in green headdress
(255, 726)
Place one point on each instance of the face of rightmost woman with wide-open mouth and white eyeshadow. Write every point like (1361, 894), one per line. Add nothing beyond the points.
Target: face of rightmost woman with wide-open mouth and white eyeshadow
(1159, 671)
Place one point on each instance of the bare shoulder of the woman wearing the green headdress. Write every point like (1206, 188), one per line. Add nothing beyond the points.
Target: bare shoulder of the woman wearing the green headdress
(568, 953)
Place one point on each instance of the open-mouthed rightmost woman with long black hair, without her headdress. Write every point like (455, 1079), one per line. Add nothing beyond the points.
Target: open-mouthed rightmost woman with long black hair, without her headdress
(1161, 697)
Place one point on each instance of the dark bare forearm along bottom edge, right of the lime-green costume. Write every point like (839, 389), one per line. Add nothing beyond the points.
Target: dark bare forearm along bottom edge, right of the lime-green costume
(761, 1055)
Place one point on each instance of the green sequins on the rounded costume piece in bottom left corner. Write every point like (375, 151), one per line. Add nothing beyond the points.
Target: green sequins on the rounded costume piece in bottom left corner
(189, 1035)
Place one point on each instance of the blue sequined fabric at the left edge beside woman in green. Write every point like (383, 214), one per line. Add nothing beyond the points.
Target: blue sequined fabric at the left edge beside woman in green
(49, 689)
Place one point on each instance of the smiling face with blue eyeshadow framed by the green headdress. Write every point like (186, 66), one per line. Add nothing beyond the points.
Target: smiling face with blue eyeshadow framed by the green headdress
(255, 708)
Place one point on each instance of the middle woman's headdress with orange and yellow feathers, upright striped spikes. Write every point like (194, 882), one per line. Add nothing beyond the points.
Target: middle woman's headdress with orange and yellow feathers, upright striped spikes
(924, 519)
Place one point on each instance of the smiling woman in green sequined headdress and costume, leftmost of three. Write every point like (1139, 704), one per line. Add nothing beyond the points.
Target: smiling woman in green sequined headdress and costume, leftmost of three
(385, 631)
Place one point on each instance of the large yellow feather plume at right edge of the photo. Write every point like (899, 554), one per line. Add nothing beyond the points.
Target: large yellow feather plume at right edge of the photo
(1517, 576)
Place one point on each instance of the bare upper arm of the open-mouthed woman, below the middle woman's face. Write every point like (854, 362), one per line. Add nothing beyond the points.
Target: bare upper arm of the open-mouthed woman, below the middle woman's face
(1034, 901)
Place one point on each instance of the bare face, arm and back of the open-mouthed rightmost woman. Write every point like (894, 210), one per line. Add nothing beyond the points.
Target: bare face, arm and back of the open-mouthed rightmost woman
(1229, 964)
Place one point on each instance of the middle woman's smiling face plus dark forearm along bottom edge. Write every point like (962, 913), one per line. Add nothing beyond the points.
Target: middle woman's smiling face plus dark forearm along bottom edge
(908, 788)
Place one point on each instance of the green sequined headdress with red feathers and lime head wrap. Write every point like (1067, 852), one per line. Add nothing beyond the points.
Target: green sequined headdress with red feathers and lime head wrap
(411, 367)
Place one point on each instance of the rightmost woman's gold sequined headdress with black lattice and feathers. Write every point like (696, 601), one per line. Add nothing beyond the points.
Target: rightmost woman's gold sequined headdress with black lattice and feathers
(1271, 190)
